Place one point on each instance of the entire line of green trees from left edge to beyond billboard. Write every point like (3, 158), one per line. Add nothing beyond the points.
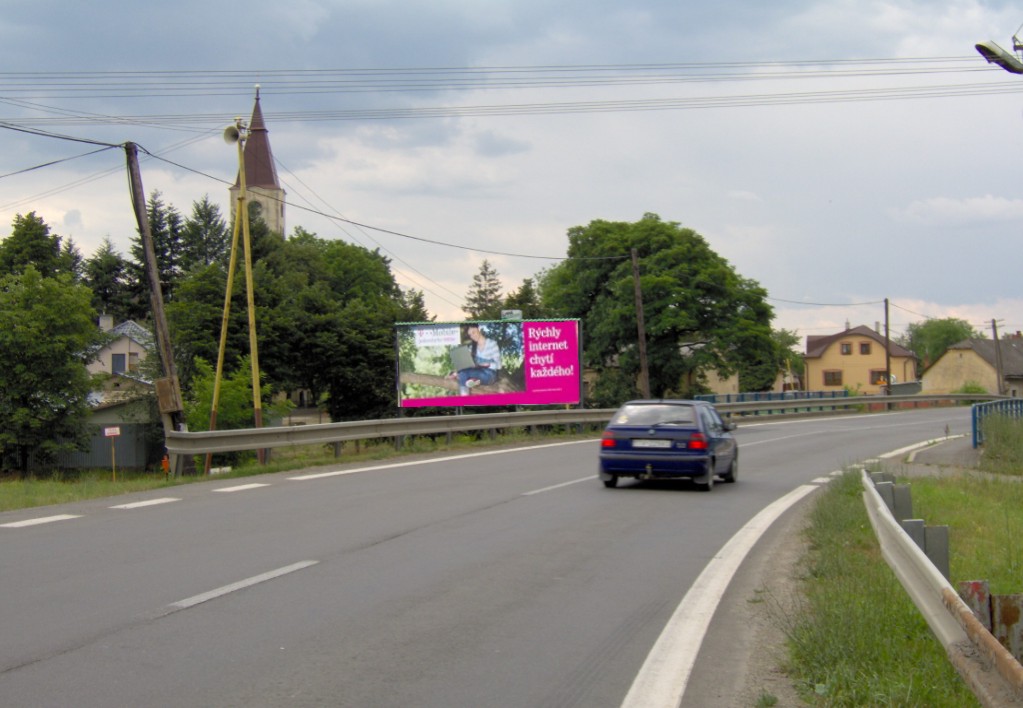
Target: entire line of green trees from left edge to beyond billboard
(326, 312)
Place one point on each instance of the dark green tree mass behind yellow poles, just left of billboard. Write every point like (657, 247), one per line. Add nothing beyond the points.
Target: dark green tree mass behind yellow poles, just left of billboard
(325, 321)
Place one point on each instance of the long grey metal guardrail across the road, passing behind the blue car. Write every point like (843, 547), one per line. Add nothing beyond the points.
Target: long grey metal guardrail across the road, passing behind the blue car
(187, 444)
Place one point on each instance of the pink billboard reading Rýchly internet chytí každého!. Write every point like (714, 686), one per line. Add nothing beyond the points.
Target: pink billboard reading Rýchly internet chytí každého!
(481, 364)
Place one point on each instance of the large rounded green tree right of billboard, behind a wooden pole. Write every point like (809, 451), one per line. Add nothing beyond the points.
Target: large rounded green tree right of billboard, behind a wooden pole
(699, 314)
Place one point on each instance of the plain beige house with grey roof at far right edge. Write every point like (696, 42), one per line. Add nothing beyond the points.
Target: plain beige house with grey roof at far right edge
(977, 362)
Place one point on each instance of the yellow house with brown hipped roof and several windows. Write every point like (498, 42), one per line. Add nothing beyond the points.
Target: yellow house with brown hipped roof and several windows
(855, 360)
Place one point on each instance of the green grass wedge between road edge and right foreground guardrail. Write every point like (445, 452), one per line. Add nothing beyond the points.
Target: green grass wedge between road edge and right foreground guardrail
(856, 639)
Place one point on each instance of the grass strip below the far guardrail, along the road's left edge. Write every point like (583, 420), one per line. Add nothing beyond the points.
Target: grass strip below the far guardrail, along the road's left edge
(66, 488)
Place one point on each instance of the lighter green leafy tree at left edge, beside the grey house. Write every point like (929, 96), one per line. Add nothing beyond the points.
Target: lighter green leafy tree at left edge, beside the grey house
(49, 335)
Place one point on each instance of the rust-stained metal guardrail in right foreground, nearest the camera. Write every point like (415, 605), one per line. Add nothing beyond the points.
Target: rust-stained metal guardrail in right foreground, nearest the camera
(970, 647)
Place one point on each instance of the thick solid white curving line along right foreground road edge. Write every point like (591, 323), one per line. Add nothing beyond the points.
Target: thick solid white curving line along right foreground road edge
(664, 676)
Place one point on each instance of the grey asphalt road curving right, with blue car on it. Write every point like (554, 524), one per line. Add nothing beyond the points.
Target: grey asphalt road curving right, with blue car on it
(509, 579)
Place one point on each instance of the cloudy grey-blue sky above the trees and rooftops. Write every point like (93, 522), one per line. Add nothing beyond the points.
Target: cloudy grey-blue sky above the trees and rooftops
(839, 153)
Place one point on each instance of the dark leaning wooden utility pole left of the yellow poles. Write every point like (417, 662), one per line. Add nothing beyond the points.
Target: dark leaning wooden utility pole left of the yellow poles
(168, 388)
